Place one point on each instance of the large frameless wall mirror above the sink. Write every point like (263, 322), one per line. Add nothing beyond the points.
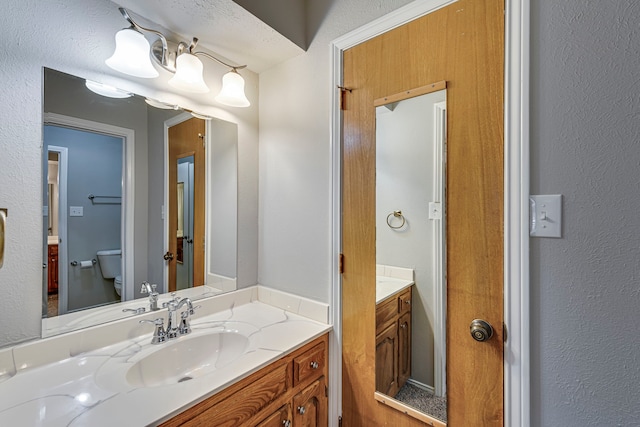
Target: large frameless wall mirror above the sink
(119, 210)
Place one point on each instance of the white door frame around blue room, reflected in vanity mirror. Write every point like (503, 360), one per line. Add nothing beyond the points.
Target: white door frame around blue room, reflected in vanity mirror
(128, 186)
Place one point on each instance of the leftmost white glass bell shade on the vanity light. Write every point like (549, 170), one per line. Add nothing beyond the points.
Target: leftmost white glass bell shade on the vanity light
(132, 55)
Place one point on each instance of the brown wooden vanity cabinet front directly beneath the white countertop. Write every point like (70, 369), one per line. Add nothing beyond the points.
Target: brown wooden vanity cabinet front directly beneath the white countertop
(291, 392)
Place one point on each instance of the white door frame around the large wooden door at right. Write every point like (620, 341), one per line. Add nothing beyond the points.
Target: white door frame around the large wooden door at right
(516, 203)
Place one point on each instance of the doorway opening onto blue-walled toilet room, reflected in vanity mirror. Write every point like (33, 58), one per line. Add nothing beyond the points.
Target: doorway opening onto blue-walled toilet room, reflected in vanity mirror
(88, 218)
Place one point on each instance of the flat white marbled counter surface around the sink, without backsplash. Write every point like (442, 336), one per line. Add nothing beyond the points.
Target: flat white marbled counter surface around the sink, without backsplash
(90, 389)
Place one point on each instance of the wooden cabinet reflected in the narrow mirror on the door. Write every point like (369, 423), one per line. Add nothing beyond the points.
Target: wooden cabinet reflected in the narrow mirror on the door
(393, 342)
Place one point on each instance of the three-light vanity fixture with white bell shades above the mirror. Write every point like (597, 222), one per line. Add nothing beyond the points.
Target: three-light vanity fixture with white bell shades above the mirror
(182, 61)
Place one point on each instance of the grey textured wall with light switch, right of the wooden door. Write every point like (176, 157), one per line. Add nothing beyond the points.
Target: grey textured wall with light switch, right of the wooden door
(585, 290)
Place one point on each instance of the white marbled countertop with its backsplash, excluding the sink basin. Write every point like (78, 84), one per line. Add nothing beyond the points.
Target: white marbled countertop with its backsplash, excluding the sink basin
(80, 379)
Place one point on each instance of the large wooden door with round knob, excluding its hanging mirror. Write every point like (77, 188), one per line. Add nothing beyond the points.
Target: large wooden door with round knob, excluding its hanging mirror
(462, 44)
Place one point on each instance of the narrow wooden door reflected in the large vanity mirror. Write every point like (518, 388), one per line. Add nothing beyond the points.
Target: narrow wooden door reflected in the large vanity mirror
(187, 139)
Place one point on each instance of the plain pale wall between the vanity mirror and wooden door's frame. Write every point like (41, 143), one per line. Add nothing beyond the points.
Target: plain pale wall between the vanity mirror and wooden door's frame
(295, 162)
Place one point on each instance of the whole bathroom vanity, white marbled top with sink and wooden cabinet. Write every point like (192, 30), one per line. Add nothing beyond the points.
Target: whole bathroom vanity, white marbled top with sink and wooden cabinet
(254, 357)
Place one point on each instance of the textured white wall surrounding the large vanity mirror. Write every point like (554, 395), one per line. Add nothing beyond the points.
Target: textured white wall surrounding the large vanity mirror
(75, 36)
